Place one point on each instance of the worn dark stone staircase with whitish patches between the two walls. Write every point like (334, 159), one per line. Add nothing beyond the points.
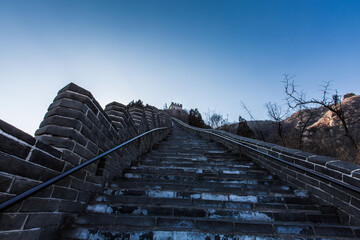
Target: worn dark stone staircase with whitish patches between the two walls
(191, 188)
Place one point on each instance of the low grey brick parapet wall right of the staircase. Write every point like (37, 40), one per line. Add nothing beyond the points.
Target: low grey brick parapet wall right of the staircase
(330, 180)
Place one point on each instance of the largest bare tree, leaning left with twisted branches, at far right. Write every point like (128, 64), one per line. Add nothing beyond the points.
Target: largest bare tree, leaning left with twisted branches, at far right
(333, 103)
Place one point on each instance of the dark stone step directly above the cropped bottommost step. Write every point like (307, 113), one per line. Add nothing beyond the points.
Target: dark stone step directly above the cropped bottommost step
(283, 230)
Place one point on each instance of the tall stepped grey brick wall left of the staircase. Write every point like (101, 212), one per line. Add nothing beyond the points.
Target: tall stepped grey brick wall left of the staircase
(74, 130)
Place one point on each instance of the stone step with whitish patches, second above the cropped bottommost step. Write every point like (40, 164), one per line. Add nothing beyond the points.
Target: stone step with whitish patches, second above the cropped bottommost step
(236, 215)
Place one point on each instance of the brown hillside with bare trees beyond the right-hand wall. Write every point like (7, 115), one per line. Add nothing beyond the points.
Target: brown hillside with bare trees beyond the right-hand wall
(323, 134)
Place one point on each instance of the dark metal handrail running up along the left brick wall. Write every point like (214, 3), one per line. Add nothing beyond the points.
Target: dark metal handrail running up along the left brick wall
(43, 185)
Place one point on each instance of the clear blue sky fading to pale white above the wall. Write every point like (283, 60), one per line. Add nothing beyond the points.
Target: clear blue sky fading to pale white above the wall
(204, 54)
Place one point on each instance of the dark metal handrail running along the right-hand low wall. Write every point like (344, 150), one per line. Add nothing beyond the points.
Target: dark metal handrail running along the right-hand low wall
(237, 141)
